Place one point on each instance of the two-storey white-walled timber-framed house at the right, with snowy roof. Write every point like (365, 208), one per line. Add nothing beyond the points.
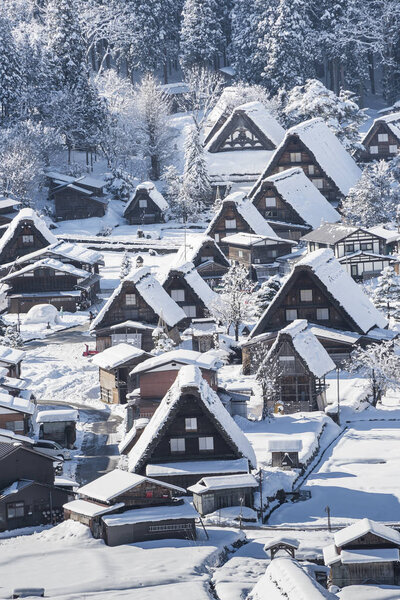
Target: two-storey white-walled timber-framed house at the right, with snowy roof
(360, 251)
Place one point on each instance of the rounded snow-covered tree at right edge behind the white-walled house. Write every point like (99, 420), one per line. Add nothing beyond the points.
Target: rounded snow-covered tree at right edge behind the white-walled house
(374, 198)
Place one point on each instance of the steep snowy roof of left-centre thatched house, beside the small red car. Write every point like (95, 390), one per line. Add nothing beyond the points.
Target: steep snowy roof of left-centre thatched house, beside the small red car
(152, 293)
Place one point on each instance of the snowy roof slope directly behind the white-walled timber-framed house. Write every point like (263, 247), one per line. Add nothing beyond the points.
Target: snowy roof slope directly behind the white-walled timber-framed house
(302, 195)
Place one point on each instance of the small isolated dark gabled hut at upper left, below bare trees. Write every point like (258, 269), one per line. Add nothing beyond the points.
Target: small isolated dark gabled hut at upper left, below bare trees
(147, 205)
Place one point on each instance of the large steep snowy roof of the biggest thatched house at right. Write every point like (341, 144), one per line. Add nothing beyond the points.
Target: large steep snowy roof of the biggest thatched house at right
(338, 285)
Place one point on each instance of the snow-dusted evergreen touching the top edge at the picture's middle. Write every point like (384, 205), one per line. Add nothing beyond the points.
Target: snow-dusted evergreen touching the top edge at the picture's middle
(201, 33)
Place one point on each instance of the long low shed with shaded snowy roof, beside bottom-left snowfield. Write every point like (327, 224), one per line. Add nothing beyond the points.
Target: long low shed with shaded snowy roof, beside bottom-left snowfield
(153, 523)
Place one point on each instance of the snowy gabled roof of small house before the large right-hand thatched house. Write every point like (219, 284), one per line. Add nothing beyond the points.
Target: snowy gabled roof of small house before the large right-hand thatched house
(308, 347)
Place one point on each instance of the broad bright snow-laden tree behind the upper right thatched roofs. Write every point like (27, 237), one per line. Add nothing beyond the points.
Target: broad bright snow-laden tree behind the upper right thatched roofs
(341, 113)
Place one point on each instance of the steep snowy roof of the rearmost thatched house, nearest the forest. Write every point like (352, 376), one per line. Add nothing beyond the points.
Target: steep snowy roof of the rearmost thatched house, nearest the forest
(258, 120)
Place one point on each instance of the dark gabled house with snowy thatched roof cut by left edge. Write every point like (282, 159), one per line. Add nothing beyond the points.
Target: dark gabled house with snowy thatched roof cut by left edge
(26, 233)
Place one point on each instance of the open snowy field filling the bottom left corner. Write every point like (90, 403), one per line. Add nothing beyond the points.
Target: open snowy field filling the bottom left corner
(77, 565)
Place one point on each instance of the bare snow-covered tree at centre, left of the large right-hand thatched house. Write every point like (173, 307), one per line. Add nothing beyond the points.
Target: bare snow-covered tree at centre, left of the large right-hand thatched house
(235, 303)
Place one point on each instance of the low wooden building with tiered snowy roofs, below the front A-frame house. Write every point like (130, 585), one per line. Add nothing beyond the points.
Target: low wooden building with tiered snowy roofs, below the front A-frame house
(141, 508)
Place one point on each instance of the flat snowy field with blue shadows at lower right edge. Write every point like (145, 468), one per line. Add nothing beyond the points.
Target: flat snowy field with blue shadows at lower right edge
(356, 479)
